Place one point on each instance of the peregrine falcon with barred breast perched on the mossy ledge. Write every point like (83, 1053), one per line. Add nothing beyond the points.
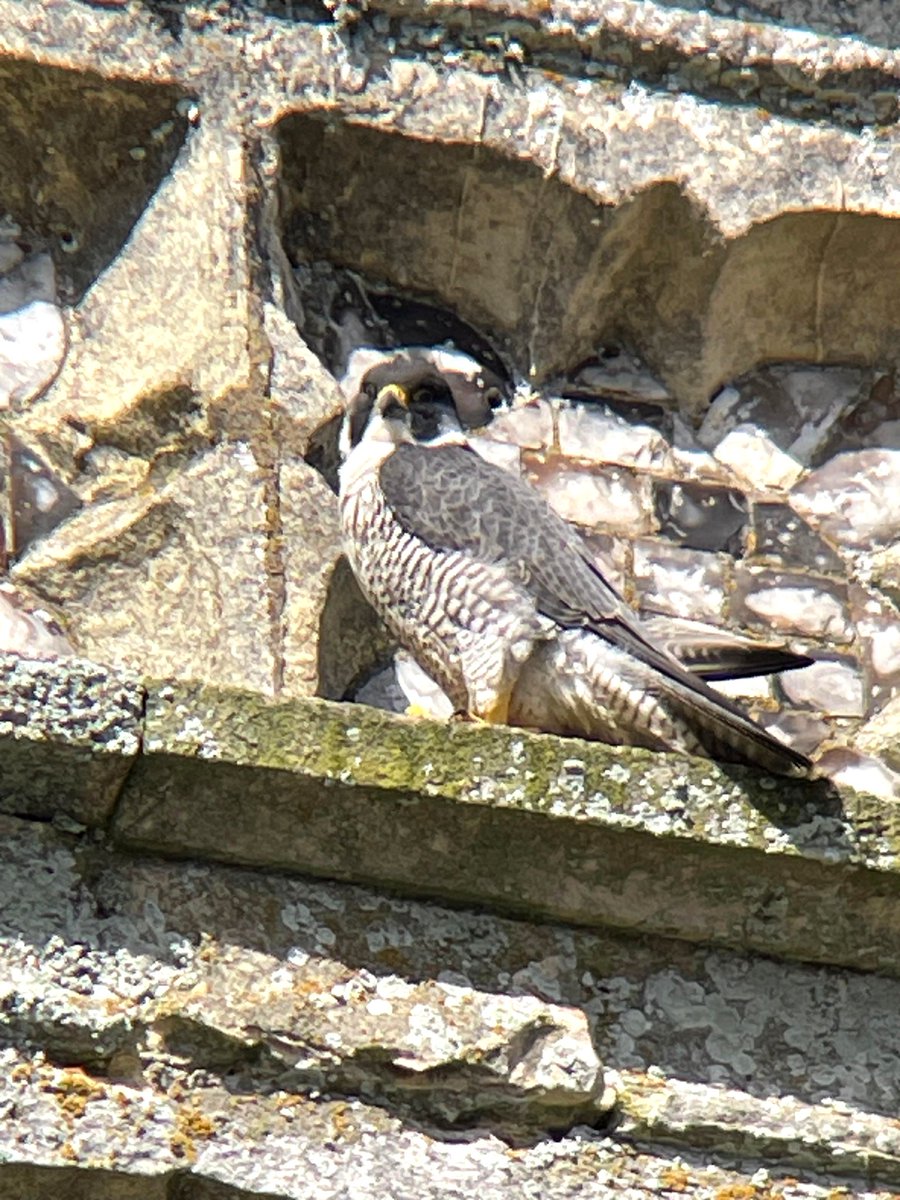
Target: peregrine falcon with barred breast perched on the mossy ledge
(497, 599)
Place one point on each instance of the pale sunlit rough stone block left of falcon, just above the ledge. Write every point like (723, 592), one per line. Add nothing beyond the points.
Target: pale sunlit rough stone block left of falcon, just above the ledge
(176, 577)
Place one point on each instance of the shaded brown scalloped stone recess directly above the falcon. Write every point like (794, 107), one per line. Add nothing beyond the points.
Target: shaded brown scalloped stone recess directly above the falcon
(549, 274)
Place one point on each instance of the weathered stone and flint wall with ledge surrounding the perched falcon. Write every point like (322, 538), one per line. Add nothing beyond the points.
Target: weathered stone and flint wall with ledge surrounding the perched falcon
(681, 229)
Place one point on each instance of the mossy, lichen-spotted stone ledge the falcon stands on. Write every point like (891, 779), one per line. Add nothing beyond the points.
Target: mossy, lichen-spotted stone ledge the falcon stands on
(549, 827)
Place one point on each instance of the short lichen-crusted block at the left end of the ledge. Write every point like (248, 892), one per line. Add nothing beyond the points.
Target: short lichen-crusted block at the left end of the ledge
(69, 734)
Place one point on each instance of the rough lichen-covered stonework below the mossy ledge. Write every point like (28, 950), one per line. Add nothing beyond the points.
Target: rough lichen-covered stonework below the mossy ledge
(169, 1003)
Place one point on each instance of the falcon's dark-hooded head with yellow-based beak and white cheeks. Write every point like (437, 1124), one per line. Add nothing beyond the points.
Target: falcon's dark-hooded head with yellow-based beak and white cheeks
(416, 395)
